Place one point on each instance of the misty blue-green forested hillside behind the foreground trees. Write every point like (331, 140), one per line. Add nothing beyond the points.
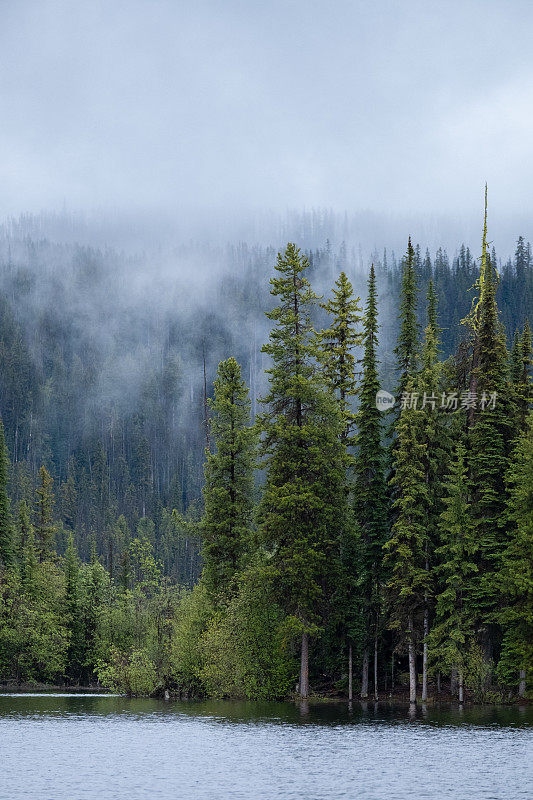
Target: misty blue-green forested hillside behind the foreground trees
(102, 363)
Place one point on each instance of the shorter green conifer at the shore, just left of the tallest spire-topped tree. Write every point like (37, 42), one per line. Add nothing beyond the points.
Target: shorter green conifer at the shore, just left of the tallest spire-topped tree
(454, 619)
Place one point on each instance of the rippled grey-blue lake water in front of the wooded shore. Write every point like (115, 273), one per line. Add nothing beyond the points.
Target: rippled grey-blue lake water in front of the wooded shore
(72, 747)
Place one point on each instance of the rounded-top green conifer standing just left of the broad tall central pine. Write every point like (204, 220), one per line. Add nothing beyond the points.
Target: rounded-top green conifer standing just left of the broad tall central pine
(228, 491)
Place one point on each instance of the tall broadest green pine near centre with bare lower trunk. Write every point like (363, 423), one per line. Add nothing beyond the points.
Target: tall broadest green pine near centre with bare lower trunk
(303, 509)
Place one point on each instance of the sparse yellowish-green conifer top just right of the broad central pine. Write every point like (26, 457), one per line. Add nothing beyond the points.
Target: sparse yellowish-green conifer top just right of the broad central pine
(337, 343)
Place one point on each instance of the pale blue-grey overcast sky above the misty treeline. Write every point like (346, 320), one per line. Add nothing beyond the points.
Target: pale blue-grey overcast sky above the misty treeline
(381, 105)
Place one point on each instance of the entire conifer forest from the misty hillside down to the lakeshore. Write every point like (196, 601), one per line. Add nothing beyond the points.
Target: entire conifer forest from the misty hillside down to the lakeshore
(211, 500)
